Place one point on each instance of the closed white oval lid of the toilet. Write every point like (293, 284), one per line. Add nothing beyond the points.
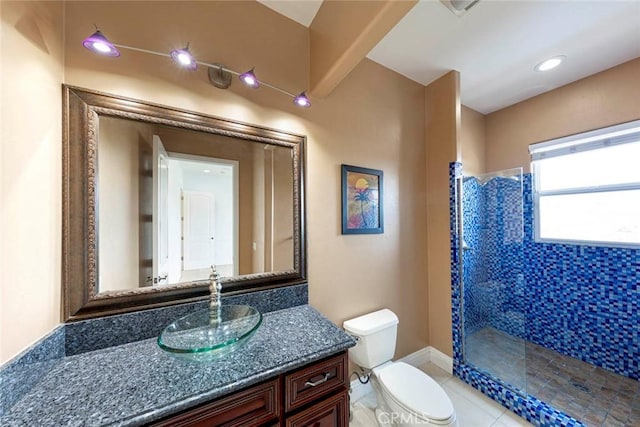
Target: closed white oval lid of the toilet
(416, 391)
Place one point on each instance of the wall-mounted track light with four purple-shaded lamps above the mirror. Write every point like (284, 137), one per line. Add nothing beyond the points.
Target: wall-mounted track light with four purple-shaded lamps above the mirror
(219, 75)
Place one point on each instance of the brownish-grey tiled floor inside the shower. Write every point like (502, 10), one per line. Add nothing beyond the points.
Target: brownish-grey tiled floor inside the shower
(593, 395)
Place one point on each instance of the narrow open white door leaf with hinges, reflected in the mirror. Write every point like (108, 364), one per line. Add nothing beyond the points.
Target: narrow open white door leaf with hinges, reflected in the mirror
(160, 212)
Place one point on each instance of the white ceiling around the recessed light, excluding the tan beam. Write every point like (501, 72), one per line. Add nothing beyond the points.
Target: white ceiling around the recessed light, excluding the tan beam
(496, 44)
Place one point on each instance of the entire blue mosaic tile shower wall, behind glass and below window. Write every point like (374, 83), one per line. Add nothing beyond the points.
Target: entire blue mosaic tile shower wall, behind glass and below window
(582, 301)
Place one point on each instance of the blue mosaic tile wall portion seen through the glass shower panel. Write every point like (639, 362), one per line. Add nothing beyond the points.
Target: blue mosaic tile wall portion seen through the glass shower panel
(493, 273)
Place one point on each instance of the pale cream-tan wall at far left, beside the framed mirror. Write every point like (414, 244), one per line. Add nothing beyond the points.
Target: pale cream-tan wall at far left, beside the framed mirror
(30, 172)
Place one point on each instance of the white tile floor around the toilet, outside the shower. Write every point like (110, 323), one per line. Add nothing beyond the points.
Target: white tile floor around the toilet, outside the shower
(473, 408)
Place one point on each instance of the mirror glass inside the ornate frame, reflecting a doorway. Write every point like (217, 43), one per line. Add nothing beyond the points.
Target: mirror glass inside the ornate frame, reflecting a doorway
(173, 202)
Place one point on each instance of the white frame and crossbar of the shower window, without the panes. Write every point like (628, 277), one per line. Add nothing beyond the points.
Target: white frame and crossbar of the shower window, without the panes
(613, 135)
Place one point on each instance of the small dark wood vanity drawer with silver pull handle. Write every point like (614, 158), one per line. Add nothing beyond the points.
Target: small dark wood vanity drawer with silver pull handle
(312, 382)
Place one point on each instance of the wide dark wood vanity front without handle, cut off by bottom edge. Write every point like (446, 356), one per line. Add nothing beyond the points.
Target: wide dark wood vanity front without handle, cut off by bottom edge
(254, 406)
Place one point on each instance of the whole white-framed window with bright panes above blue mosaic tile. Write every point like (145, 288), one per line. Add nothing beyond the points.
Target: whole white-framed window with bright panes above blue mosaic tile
(587, 187)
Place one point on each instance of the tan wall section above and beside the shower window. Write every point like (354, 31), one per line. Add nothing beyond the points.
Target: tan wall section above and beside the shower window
(604, 99)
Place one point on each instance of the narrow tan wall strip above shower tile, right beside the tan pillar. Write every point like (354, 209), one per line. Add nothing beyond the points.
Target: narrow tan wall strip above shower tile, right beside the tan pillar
(472, 141)
